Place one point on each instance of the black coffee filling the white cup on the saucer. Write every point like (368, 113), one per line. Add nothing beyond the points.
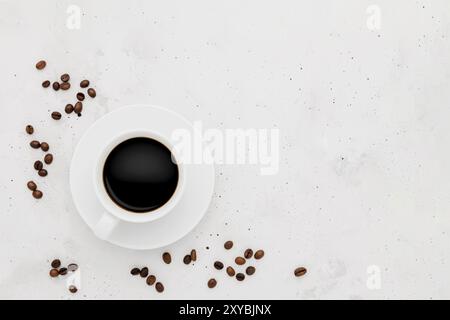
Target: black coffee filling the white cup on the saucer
(140, 175)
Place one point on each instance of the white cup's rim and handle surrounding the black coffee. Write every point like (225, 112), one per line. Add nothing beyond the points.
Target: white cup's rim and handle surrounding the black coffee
(113, 213)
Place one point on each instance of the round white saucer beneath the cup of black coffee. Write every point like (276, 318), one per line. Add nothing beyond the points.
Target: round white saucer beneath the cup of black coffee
(199, 183)
